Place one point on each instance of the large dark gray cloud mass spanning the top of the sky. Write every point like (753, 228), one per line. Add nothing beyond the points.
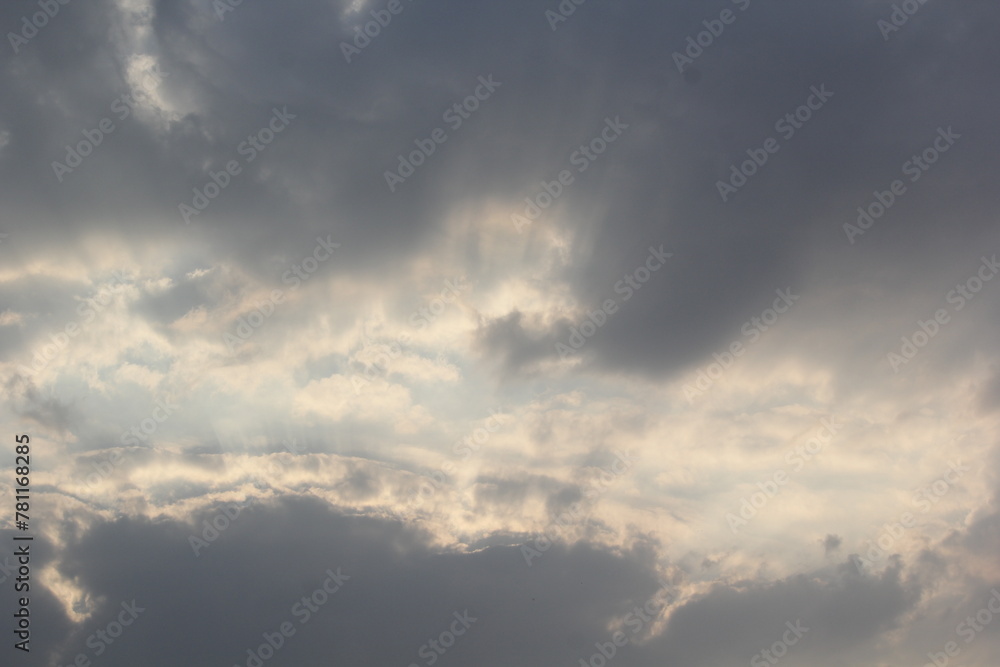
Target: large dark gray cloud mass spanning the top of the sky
(657, 185)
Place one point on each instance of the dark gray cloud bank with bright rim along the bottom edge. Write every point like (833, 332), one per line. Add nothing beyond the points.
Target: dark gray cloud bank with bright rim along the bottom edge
(402, 592)
